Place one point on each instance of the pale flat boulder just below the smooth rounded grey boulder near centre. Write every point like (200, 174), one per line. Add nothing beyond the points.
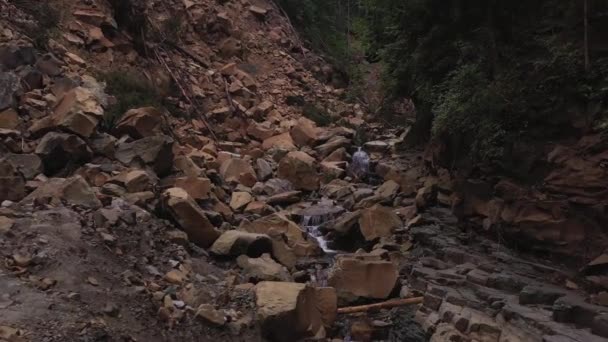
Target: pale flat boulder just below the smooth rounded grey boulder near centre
(263, 268)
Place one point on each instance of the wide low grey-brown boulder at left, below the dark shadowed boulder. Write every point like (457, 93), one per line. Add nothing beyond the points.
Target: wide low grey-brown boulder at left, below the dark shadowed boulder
(73, 191)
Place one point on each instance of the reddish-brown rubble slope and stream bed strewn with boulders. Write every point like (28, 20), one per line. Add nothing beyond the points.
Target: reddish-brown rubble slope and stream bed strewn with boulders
(214, 226)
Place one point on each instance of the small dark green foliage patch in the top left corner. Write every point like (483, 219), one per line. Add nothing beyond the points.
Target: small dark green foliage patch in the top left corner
(46, 16)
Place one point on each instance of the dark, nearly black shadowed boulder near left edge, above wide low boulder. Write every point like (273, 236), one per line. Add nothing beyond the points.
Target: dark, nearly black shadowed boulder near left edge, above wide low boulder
(58, 150)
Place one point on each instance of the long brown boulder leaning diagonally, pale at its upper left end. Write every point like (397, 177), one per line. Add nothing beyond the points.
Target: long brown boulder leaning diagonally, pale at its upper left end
(190, 217)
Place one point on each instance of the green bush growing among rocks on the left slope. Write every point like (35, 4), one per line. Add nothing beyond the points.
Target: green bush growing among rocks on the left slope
(131, 91)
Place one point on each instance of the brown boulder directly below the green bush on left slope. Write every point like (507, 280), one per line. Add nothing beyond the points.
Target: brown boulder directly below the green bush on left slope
(140, 123)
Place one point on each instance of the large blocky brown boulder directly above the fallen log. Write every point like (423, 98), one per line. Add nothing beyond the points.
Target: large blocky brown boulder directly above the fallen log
(363, 275)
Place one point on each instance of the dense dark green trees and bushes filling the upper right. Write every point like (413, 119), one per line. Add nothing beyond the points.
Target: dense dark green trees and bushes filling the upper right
(483, 74)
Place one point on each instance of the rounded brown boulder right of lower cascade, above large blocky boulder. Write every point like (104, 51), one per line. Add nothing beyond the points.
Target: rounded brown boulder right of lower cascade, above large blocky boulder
(378, 221)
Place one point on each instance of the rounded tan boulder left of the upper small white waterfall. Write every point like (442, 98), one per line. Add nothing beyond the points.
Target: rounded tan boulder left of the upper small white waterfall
(300, 169)
